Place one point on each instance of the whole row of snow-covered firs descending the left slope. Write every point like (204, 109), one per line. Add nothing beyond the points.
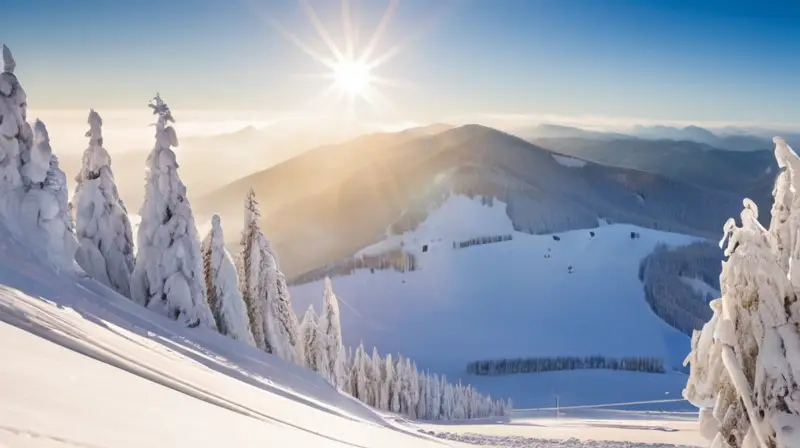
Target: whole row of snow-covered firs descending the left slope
(170, 271)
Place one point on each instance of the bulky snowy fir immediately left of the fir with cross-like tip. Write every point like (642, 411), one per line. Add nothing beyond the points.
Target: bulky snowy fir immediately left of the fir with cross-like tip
(102, 225)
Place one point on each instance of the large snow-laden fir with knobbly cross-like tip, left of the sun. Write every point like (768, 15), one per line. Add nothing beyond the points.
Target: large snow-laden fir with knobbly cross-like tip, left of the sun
(168, 274)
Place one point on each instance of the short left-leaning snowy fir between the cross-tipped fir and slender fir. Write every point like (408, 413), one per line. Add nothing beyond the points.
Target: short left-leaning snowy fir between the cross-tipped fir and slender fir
(222, 286)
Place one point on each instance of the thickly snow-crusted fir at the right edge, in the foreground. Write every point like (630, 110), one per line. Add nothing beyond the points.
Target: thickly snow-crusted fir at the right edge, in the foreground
(745, 362)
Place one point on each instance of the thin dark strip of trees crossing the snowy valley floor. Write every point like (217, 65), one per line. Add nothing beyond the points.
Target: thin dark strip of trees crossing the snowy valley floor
(494, 367)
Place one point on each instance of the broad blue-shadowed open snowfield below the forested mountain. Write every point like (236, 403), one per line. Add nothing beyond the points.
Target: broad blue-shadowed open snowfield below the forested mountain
(514, 299)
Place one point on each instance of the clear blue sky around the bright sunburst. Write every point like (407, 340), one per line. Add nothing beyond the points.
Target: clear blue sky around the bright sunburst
(727, 61)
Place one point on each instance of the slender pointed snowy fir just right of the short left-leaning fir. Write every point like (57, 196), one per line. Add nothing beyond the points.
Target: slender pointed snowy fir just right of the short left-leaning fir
(252, 267)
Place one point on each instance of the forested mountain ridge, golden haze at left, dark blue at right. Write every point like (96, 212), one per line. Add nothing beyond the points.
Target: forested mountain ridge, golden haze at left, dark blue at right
(334, 200)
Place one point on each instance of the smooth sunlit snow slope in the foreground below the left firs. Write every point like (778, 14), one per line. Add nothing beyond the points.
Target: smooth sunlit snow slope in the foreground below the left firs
(85, 367)
